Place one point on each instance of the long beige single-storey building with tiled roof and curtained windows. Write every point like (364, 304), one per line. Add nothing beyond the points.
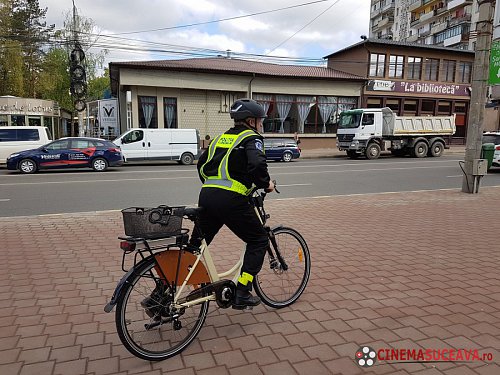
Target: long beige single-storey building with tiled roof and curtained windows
(198, 92)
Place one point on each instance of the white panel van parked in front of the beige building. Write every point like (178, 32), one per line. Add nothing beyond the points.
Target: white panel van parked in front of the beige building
(141, 144)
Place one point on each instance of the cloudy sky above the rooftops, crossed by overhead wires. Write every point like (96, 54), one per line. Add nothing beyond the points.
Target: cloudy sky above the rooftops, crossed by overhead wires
(334, 24)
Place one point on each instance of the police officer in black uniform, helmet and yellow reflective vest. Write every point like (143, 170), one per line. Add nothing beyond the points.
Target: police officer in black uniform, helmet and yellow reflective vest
(232, 165)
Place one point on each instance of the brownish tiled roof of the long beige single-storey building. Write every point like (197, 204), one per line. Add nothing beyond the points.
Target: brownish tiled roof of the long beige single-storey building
(238, 66)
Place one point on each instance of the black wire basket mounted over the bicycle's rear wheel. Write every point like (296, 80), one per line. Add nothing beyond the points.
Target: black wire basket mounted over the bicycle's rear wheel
(151, 223)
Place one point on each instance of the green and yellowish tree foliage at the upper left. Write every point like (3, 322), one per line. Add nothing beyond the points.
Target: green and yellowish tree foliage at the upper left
(34, 57)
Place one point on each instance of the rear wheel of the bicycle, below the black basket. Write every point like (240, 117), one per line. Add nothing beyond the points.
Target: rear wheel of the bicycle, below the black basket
(155, 332)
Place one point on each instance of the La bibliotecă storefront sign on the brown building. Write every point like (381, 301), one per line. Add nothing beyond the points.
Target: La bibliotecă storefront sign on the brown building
(412, 87)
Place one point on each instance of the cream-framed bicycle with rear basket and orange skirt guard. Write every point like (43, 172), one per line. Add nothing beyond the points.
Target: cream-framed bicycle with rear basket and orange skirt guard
(162, 300)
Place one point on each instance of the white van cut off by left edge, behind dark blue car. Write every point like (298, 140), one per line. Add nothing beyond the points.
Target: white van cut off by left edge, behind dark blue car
(21, 138)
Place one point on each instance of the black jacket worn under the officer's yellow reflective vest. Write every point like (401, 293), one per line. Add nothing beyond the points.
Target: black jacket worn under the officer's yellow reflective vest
(247, 162)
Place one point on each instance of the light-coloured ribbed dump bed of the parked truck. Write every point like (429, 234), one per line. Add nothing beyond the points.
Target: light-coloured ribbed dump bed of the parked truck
(417, 125)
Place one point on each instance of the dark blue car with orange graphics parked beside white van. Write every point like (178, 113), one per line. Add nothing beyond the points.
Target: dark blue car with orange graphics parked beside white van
(70, 152)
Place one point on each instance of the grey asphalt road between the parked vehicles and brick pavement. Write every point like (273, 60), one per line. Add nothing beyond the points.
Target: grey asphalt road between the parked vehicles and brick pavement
(62, 191)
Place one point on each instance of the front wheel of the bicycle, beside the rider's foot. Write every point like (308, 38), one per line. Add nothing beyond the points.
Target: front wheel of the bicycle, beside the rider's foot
(275, 286)
